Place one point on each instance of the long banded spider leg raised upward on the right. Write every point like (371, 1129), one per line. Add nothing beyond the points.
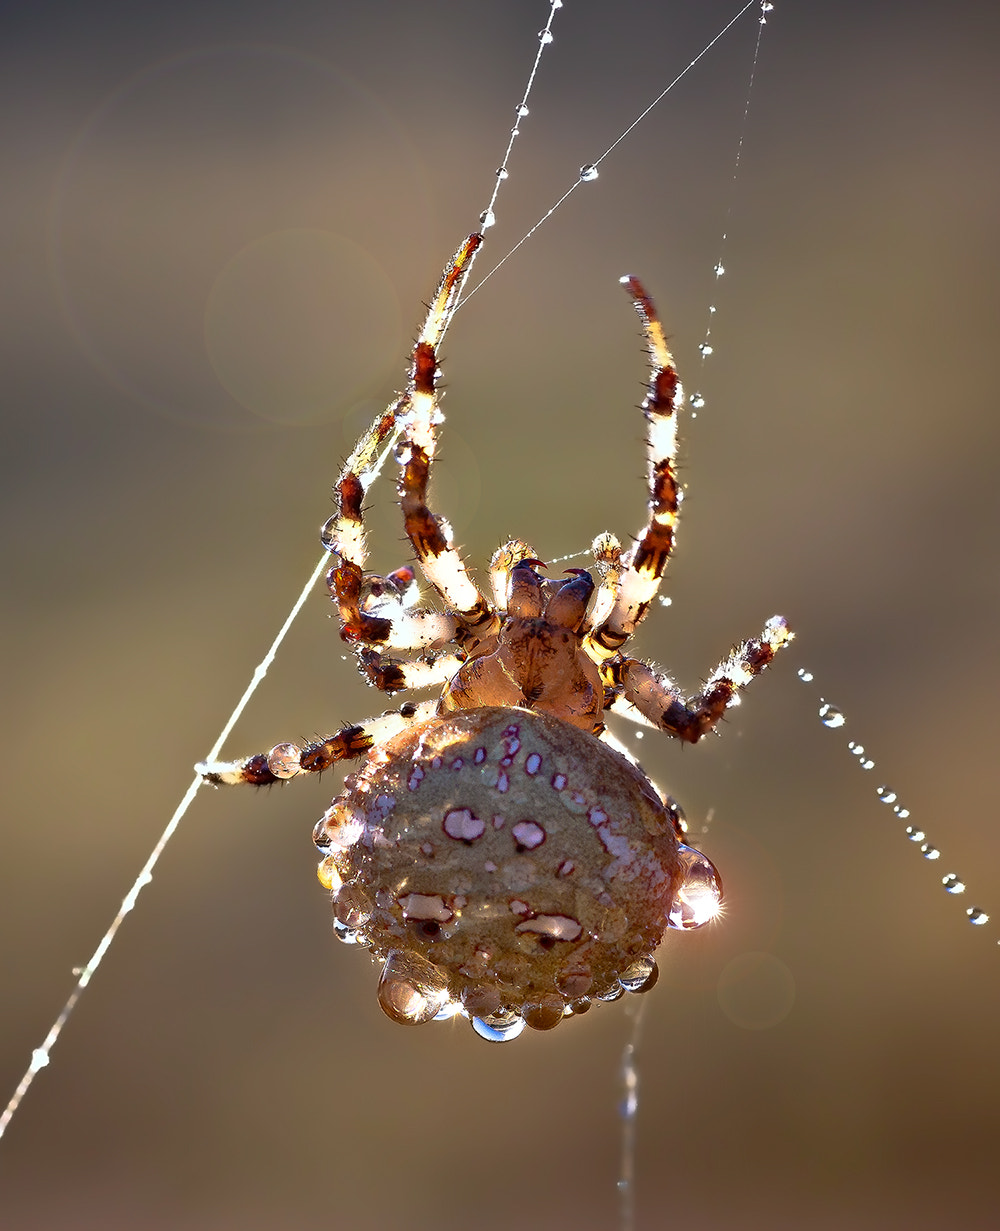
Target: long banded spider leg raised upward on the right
(643, 567)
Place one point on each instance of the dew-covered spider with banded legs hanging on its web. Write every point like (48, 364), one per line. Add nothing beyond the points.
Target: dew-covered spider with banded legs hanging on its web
(498, 852)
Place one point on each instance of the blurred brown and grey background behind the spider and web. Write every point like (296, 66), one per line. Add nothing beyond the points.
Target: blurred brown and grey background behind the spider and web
(221, 221)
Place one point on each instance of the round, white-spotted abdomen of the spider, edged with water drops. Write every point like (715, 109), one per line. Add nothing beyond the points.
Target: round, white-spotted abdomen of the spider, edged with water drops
(503, 861)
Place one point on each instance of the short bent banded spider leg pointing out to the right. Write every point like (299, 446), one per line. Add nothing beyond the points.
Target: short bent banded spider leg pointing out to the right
(639, 688)
